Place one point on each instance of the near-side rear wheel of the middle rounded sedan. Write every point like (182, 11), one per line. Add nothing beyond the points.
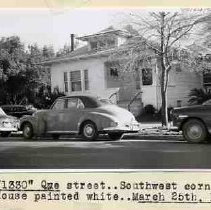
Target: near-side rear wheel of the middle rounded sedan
(89, 131)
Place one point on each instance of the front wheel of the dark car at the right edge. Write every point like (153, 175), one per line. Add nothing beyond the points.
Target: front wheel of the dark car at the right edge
(194, 131)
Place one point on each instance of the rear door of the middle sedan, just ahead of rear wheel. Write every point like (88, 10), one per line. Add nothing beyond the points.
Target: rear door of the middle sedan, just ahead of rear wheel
(74, 108)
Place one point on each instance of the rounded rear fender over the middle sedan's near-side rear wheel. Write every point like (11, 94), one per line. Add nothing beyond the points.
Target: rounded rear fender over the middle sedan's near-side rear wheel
(101, 120)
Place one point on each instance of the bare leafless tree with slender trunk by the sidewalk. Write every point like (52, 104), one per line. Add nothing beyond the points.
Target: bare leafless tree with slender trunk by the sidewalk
(162, 34)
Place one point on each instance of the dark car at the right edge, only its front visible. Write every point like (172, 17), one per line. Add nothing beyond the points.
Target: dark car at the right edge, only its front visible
(194, 121)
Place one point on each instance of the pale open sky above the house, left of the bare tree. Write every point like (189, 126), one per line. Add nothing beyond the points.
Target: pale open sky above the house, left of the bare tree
(53, 27)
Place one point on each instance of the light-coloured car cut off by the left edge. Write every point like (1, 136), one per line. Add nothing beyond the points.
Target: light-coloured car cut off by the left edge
(8, 124)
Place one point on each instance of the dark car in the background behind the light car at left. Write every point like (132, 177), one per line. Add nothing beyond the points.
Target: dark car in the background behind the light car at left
(18, 110)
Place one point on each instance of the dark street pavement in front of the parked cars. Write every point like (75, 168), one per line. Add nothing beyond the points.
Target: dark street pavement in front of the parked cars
(128, 153)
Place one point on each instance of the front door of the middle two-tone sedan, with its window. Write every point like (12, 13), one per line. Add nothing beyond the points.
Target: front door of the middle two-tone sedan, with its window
(55, 117)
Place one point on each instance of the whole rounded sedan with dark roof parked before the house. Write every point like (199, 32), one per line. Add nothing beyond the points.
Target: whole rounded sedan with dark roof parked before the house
(84, 115)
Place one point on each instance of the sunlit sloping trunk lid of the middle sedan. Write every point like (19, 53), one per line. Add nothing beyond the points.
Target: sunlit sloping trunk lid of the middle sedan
(115, 111)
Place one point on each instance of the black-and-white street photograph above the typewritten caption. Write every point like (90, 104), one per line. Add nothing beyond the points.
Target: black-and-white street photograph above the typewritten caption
(105, 88)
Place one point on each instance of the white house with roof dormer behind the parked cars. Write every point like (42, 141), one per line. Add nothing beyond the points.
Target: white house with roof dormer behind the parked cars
(88, 70)
